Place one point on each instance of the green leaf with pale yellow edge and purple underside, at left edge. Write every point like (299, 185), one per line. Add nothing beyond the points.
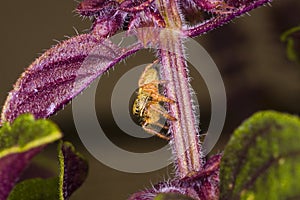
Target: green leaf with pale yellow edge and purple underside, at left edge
(19, 143)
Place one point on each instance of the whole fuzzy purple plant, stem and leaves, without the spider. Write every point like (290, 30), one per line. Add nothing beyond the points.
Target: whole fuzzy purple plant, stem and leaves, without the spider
(57, 76)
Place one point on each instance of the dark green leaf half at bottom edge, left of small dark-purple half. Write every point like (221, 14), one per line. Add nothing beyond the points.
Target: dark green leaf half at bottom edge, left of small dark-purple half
(35, 189)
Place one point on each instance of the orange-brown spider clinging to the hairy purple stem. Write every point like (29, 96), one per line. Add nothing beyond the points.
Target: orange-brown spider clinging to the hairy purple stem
(147, 104)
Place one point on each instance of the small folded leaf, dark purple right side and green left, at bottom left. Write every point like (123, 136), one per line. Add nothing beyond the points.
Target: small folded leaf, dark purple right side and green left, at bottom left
(73, 171)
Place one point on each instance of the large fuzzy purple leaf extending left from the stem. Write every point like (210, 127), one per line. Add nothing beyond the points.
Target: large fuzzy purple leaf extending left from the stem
(59, 75)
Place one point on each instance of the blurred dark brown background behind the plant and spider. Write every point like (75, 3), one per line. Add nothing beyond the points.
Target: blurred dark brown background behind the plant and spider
(248, 52)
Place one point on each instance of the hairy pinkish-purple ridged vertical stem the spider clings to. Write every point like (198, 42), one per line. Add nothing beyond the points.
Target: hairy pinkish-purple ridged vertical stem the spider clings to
(185, 141)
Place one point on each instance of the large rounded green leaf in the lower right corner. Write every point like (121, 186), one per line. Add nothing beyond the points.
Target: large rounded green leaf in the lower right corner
(262, 159)
